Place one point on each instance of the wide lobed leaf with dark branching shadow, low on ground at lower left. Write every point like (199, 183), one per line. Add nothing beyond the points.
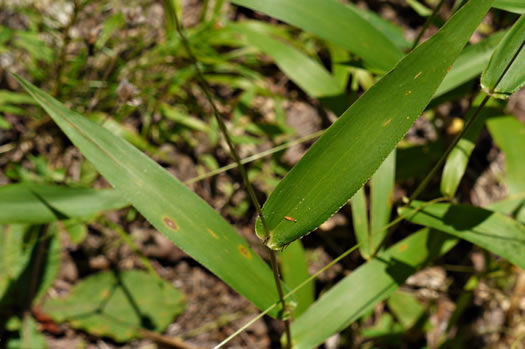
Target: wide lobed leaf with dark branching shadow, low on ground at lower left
(118, 304)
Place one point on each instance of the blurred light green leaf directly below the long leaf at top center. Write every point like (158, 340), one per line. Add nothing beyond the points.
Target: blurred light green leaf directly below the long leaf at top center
(308, 74)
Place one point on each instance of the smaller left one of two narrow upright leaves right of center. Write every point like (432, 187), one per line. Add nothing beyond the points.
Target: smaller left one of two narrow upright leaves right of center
(360, 222)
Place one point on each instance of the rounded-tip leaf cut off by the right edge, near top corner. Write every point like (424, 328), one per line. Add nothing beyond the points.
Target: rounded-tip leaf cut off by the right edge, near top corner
(498, 79)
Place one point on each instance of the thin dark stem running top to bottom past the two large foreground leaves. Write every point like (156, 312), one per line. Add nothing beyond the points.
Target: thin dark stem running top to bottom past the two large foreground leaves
(224, 130)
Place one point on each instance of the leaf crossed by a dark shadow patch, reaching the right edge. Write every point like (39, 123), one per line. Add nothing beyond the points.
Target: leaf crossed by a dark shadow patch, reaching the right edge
(495, 232)
